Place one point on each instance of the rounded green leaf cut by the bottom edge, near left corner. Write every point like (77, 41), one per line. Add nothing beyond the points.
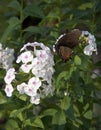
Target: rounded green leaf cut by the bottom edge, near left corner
(12, 125)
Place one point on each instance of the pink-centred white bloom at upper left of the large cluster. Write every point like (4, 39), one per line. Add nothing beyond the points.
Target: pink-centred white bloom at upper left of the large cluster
(25, 57)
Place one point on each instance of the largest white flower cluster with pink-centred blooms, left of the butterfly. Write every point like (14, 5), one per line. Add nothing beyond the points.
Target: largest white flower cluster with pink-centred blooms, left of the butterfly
(39, 62)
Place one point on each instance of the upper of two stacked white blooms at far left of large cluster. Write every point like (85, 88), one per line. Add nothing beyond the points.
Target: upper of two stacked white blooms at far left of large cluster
(10, 75)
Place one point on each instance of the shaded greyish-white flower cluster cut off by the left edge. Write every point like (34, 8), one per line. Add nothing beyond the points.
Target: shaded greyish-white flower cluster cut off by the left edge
(6, 57)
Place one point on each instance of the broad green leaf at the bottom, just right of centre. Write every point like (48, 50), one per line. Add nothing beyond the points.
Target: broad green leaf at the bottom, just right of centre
(59, 118)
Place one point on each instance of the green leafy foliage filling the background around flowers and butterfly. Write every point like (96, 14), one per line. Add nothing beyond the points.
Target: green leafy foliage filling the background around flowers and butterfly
(71, 106)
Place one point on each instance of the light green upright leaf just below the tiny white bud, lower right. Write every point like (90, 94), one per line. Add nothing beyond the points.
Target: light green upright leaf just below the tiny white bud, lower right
(65, 103)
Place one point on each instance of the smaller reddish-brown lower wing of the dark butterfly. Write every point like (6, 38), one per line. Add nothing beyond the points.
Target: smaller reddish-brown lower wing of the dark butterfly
(65, 52)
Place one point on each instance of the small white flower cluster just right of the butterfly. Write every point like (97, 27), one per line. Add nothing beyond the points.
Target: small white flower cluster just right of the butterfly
(91, 47)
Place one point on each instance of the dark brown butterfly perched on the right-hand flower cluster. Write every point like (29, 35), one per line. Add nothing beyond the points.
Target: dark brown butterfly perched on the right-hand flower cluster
(66, 42)
